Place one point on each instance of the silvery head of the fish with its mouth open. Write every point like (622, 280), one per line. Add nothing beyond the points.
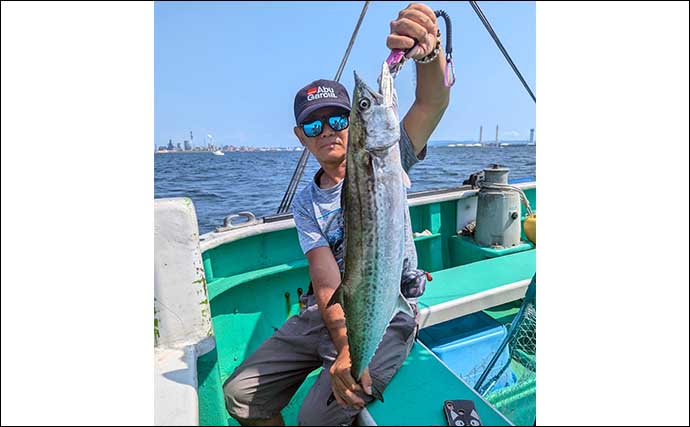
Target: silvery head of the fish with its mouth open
(375, 113)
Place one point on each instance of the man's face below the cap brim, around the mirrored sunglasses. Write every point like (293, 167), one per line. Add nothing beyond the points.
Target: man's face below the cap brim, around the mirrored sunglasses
(329, 147)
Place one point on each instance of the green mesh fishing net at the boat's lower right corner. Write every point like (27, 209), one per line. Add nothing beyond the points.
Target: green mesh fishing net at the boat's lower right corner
(508, 376)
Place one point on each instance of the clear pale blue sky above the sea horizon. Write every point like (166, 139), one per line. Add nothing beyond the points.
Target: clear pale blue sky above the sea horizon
(231, 69)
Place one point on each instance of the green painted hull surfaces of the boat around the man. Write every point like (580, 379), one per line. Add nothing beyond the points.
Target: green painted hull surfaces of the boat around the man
(254, 282)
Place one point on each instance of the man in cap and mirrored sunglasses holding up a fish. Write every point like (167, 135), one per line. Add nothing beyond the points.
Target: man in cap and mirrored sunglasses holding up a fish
(267, 380)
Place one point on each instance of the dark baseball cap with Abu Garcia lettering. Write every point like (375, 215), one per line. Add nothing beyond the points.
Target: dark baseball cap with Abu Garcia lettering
(318, 94)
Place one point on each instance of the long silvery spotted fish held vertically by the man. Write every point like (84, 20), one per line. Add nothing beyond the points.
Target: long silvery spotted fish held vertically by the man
(374, 205)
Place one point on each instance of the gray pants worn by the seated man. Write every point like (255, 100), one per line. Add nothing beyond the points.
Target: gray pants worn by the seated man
(266, 381)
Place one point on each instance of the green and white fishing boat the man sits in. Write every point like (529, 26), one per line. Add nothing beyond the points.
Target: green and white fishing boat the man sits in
(218, 296)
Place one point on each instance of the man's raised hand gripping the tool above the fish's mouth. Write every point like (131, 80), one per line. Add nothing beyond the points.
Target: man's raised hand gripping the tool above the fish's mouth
(417, 22)
